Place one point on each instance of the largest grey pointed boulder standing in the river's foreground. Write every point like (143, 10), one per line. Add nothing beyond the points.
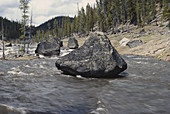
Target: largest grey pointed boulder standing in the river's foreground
(97, 58)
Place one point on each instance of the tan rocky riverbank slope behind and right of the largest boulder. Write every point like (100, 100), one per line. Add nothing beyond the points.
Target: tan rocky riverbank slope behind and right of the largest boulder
(155, 42)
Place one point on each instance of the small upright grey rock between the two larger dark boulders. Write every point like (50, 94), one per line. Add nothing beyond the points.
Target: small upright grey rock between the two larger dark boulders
(72, 43)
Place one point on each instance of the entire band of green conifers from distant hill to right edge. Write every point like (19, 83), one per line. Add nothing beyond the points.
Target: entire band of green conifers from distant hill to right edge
(107, 15)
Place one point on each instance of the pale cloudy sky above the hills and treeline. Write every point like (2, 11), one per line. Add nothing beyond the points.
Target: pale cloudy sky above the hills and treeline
(42, 10)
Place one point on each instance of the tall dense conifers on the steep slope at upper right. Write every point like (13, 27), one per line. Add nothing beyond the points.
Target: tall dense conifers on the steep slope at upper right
(111, 13)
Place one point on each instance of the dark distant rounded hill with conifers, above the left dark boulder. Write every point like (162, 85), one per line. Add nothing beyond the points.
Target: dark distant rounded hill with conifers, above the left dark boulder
(58, 26)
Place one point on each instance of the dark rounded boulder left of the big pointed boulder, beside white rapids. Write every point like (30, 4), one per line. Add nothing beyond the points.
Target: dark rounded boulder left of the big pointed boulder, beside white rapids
(49, 48)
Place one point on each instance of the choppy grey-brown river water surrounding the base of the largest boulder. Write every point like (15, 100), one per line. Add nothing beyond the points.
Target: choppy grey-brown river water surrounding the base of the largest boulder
(37, 87)
